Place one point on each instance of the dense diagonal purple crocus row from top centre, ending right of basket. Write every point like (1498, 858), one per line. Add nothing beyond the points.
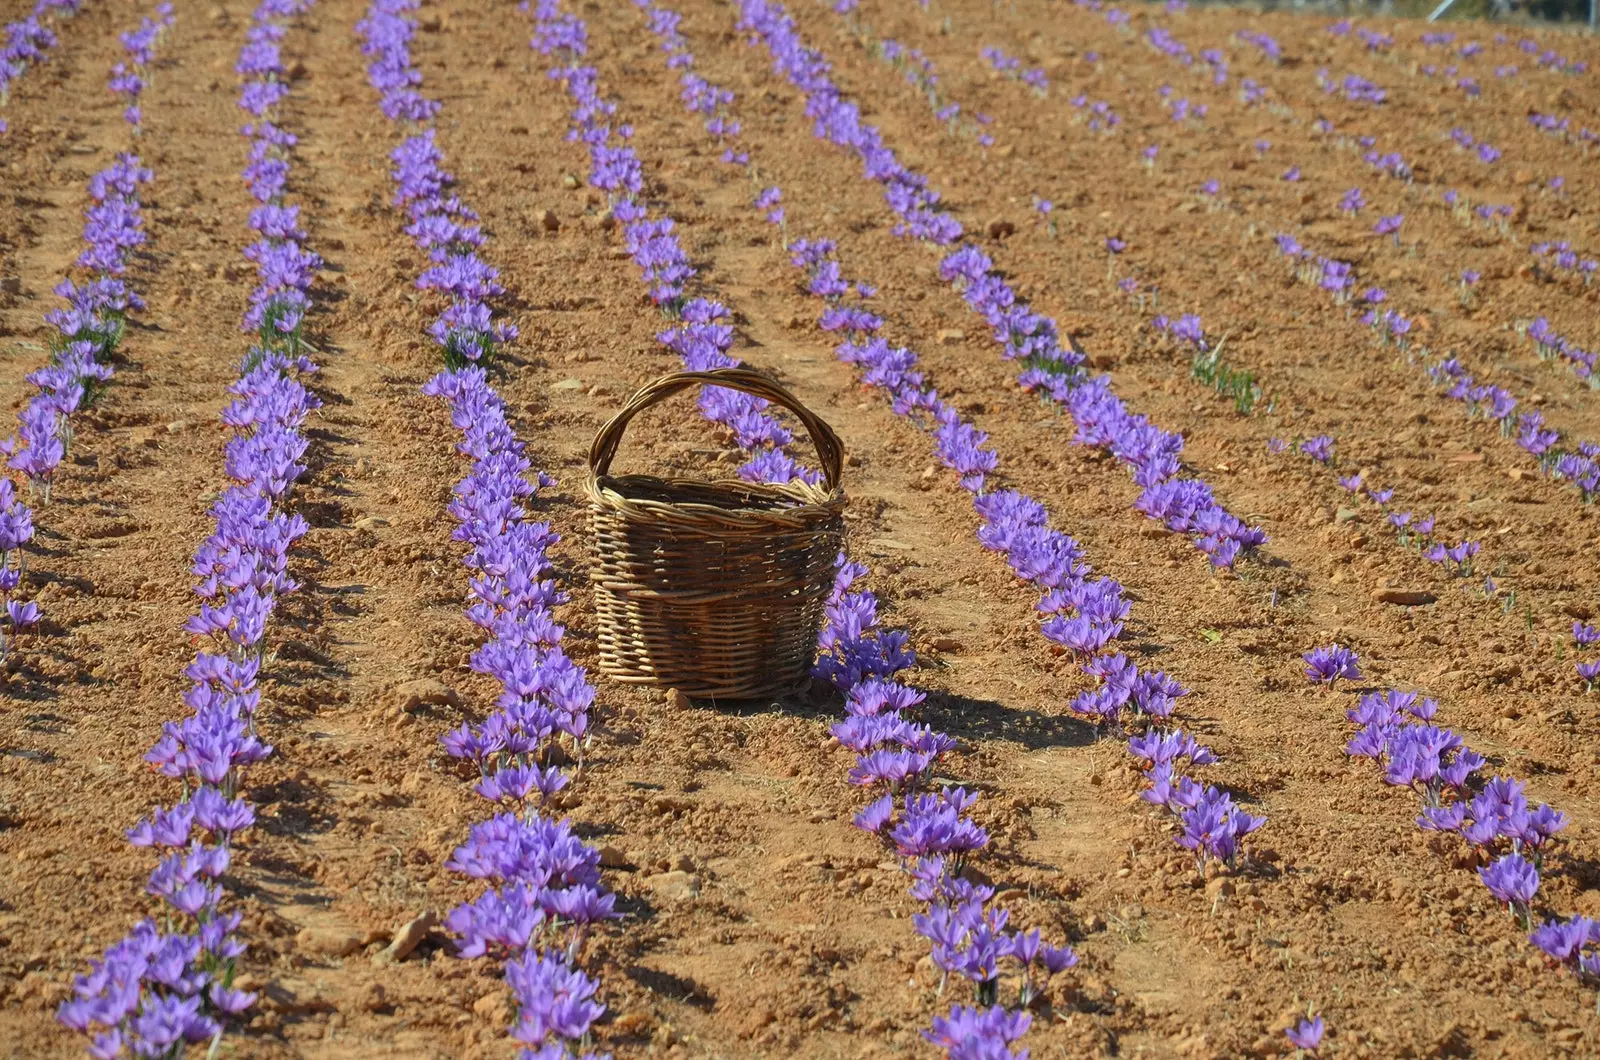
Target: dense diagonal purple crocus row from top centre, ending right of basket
(1025, 335)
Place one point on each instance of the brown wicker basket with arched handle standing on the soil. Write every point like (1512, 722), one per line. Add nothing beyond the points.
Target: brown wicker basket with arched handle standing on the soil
(713, 588)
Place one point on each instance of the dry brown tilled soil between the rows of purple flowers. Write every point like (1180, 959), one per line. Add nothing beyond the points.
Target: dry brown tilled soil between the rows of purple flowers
(790, 933)
